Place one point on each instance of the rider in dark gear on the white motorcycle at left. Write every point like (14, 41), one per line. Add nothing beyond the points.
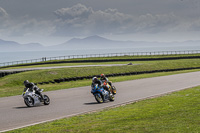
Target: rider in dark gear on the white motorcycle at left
(32, 87)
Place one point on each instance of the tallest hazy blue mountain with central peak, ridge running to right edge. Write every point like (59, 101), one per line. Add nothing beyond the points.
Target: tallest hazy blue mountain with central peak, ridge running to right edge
(97, 42)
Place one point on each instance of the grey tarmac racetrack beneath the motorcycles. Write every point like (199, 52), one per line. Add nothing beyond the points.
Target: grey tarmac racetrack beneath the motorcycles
(70, 102)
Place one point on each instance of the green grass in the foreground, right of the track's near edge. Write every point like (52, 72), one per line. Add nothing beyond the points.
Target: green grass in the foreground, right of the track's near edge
(177, 112)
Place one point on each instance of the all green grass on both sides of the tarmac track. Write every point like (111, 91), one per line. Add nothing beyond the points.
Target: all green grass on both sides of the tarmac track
(177, 112)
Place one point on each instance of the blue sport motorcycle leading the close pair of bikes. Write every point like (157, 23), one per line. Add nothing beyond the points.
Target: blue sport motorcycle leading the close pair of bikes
(101, 95)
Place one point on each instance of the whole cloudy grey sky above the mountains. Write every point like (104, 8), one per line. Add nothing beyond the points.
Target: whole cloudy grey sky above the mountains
(52, 22)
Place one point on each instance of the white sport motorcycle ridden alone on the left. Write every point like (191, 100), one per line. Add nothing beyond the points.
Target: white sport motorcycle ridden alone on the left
(32, 99)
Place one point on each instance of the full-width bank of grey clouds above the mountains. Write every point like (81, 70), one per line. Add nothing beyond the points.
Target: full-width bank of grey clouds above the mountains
(80, 20)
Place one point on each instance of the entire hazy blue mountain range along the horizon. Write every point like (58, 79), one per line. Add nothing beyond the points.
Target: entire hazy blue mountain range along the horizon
(92, 42)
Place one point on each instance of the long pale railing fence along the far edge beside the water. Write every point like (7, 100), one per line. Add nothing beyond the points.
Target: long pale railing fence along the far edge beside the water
(43, 59)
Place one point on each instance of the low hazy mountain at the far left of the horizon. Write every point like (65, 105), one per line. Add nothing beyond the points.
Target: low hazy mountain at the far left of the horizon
(6, 46)
